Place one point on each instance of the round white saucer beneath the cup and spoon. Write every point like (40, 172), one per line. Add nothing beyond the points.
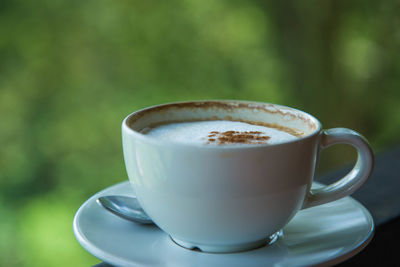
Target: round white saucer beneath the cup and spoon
(322, 235)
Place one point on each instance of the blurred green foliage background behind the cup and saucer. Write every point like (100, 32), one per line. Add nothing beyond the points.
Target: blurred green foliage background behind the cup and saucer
(70, 71)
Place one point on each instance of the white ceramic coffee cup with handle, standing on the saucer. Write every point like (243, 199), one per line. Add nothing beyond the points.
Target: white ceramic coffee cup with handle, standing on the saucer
(232, 198)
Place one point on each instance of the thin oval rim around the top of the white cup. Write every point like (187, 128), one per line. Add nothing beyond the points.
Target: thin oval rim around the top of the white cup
(147, 139)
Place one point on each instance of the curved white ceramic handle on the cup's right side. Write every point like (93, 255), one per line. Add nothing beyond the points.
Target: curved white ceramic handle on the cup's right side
(354, 179)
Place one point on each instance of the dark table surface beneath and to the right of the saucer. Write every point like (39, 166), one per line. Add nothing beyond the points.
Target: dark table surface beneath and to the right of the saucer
(380, 195)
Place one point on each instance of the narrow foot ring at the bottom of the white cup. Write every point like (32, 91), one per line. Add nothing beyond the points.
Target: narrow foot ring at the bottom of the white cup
(228, 248)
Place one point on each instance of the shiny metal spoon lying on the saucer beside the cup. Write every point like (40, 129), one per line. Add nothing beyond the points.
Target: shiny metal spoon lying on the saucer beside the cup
(125, 207)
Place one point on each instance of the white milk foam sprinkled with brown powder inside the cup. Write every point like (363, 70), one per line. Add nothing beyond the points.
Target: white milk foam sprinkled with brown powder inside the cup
(201, 132)
